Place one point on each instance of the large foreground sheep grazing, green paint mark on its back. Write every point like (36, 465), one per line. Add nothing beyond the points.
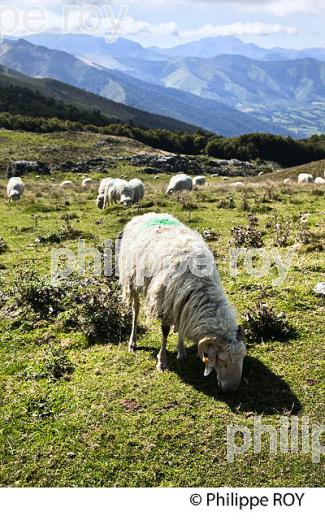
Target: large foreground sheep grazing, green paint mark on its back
(173, 267)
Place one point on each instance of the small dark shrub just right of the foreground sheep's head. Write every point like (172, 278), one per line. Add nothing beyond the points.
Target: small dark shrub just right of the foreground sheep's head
(264, 324)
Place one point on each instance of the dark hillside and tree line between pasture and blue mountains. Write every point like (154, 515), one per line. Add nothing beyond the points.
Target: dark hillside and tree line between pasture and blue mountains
(23, 109)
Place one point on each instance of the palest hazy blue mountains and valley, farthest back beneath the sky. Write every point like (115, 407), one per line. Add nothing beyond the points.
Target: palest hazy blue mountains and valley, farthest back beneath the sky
(283, 88)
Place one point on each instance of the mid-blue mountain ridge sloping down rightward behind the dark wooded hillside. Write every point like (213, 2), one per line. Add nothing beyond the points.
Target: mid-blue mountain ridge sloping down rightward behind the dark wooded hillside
(210, 114)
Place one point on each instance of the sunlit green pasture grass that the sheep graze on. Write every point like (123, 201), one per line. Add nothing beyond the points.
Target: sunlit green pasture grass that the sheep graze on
(114, 420)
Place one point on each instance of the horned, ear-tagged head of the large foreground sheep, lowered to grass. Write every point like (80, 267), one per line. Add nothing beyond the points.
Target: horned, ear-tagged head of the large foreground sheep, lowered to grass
(225, 358)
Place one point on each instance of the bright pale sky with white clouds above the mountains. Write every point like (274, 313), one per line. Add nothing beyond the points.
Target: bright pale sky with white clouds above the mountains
(286, 23)
